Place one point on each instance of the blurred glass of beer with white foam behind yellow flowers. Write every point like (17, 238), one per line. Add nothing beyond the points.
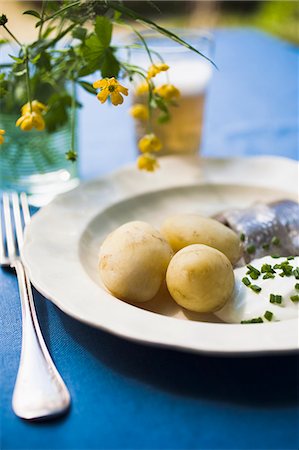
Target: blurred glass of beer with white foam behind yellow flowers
(188, 72)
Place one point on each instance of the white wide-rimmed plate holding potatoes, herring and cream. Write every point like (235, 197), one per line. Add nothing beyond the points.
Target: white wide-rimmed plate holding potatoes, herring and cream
(63, 239)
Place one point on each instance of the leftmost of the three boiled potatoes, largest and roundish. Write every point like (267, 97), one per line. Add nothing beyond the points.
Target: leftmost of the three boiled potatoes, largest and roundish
(133, 261)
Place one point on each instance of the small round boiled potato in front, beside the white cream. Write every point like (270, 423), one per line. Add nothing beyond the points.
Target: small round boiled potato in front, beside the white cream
(200, 278)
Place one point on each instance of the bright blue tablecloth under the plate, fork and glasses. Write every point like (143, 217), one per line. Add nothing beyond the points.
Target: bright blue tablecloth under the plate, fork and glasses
(130, 396)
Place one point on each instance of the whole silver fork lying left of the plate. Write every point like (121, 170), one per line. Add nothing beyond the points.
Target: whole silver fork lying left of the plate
(39, 392)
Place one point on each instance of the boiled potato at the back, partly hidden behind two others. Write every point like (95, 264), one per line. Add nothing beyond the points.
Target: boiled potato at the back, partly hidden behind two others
(188, 229)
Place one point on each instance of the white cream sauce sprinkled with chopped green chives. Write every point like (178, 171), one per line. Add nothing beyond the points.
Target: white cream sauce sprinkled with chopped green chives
(245, 304)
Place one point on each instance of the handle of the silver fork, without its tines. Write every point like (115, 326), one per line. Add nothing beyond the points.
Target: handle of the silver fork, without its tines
(39, 392)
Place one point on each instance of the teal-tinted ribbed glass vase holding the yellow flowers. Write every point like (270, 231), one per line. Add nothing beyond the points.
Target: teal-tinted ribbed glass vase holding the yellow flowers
(34, 161)
